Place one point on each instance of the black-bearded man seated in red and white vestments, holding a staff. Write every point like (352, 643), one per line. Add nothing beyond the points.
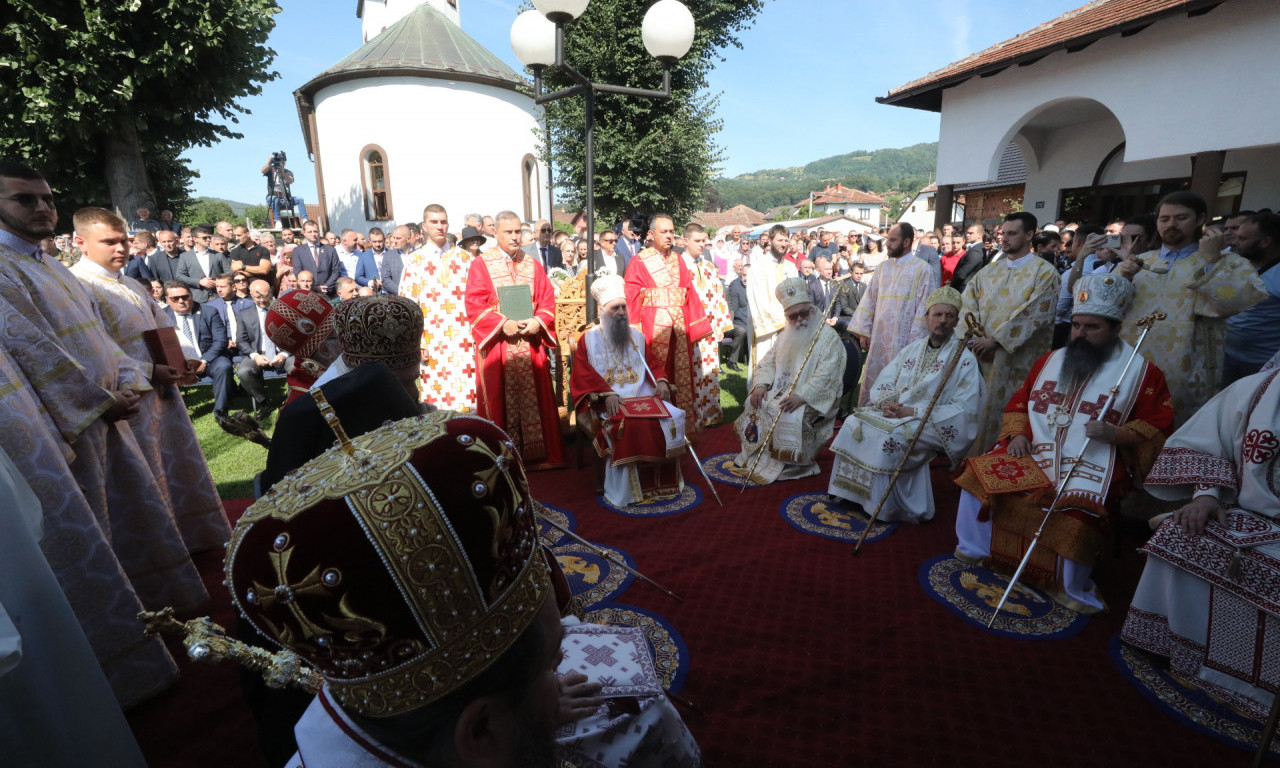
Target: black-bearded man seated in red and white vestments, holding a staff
(1052, 418)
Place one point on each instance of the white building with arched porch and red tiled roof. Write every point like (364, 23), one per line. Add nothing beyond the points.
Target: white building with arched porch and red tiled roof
(1114, 104)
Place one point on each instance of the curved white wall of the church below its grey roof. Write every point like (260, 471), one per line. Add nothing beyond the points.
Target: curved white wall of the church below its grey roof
(464, 149)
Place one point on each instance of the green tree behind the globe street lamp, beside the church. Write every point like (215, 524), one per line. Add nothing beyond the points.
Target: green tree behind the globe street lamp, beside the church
(650, 156)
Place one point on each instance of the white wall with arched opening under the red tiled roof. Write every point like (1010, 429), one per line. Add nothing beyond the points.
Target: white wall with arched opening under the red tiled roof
(1159, 84)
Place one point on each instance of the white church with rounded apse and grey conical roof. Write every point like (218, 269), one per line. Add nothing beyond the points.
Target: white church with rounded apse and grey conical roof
(463, 136)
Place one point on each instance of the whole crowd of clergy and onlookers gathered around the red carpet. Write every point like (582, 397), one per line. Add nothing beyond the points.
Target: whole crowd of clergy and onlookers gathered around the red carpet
(1127, 364)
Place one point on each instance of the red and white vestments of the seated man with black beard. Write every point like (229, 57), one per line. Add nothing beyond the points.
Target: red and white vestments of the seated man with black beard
(1053, 415)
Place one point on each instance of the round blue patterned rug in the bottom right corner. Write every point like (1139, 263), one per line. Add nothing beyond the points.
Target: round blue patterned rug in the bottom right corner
(1187, 702)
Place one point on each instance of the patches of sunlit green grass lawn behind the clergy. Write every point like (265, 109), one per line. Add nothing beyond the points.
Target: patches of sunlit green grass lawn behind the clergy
(234, 461)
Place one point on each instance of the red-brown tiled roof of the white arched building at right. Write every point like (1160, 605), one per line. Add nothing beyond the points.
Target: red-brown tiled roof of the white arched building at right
(1072, 31)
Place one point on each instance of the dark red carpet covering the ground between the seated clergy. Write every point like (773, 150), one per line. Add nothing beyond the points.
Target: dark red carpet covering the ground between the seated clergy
(806, 656)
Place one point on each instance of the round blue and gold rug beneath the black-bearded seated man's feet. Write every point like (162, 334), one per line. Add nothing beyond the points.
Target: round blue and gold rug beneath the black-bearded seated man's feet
(973, 592)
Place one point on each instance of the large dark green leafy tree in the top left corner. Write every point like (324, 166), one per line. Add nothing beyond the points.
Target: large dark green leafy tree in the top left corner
(103, 98)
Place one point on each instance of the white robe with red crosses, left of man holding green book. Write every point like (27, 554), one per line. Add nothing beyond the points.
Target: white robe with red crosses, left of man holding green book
(438, 282)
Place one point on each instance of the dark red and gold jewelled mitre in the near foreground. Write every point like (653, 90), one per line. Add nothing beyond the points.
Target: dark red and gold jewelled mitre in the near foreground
(399, 565)
